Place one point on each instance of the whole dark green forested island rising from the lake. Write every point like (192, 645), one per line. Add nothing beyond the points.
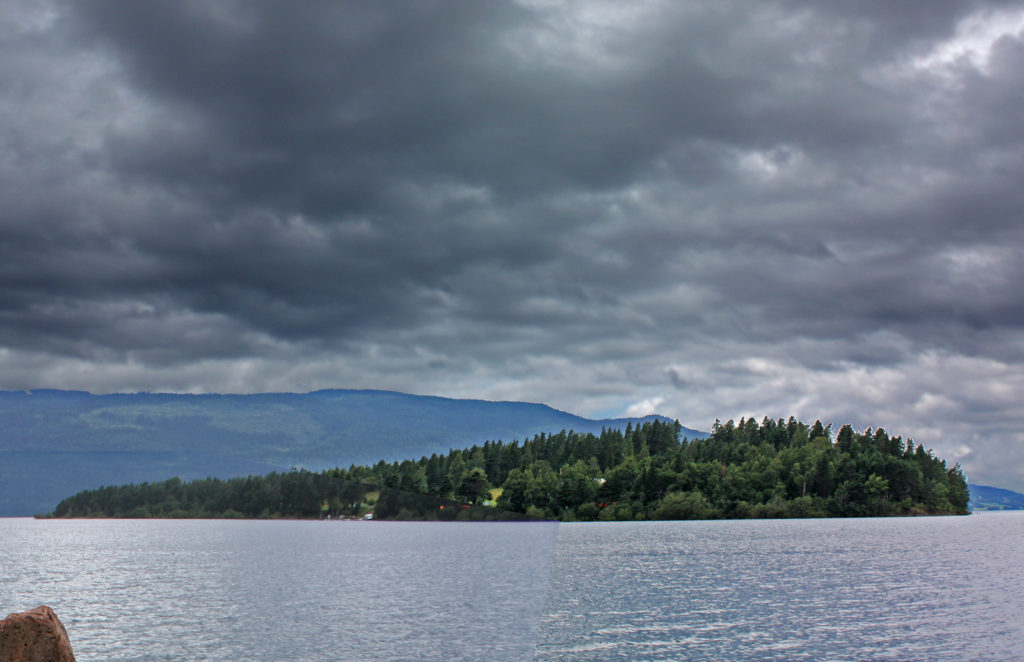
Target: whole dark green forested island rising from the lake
(776, 469)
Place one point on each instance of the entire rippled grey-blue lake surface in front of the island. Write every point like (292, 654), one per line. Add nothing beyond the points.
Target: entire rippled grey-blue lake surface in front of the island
(926, 589)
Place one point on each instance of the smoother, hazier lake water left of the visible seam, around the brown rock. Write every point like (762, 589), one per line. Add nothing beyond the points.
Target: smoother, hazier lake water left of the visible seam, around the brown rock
(149, 591)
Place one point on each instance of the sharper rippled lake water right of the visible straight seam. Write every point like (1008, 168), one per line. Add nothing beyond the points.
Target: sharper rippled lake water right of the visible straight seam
(924, 589)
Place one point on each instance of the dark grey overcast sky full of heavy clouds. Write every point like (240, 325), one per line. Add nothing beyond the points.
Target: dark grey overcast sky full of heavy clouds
(707, 211)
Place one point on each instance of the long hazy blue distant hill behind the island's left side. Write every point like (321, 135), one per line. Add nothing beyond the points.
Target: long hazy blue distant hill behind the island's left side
(56, 443)
